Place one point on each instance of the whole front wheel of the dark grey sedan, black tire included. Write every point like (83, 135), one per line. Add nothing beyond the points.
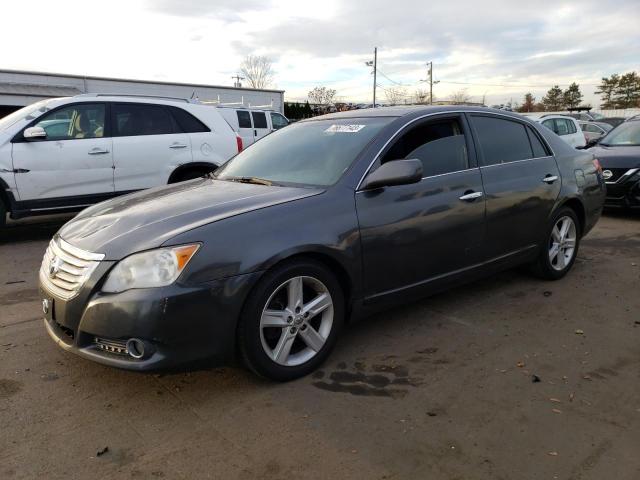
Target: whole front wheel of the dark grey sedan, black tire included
(283, 342)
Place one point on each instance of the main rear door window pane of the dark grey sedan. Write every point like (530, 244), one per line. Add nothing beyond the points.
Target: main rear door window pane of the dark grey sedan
(501, 141)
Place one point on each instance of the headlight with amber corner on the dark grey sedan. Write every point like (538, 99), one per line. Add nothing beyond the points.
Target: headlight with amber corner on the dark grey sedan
(154, 268)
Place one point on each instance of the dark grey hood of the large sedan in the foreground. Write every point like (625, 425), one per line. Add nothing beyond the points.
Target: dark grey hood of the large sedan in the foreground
(149, 218)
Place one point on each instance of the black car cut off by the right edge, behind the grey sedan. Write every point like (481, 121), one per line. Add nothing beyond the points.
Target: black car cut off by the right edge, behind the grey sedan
(619, 155)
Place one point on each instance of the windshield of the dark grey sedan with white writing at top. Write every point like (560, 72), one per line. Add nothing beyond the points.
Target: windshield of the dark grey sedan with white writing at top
(309, 153)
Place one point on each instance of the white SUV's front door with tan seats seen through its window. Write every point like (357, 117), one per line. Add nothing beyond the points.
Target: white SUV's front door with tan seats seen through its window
(74, 160)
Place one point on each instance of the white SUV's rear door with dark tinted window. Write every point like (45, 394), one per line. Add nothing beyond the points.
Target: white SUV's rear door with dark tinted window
(147, 145)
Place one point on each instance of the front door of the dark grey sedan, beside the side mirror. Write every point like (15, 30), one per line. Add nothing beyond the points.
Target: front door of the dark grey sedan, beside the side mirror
(414, 234)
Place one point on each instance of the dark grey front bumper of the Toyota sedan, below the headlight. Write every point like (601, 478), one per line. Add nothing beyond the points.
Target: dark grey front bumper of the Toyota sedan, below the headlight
(177, 324)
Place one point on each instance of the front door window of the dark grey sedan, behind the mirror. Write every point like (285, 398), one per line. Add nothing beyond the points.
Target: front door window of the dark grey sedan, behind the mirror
(439, 144)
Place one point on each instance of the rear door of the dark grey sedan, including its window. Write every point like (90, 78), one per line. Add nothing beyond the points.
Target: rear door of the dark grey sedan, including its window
(521, 183)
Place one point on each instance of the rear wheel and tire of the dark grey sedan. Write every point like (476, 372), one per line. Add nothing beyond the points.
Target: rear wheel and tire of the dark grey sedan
(560, 248)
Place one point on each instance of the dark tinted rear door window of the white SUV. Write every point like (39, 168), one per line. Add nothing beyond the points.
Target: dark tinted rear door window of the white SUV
(131, 120)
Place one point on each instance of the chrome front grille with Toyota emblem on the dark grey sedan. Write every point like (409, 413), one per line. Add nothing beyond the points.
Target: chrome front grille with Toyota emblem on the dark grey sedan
(65, 268)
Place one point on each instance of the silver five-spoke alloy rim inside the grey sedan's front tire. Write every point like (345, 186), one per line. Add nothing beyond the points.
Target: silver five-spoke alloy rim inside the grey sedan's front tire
(296, 321)
